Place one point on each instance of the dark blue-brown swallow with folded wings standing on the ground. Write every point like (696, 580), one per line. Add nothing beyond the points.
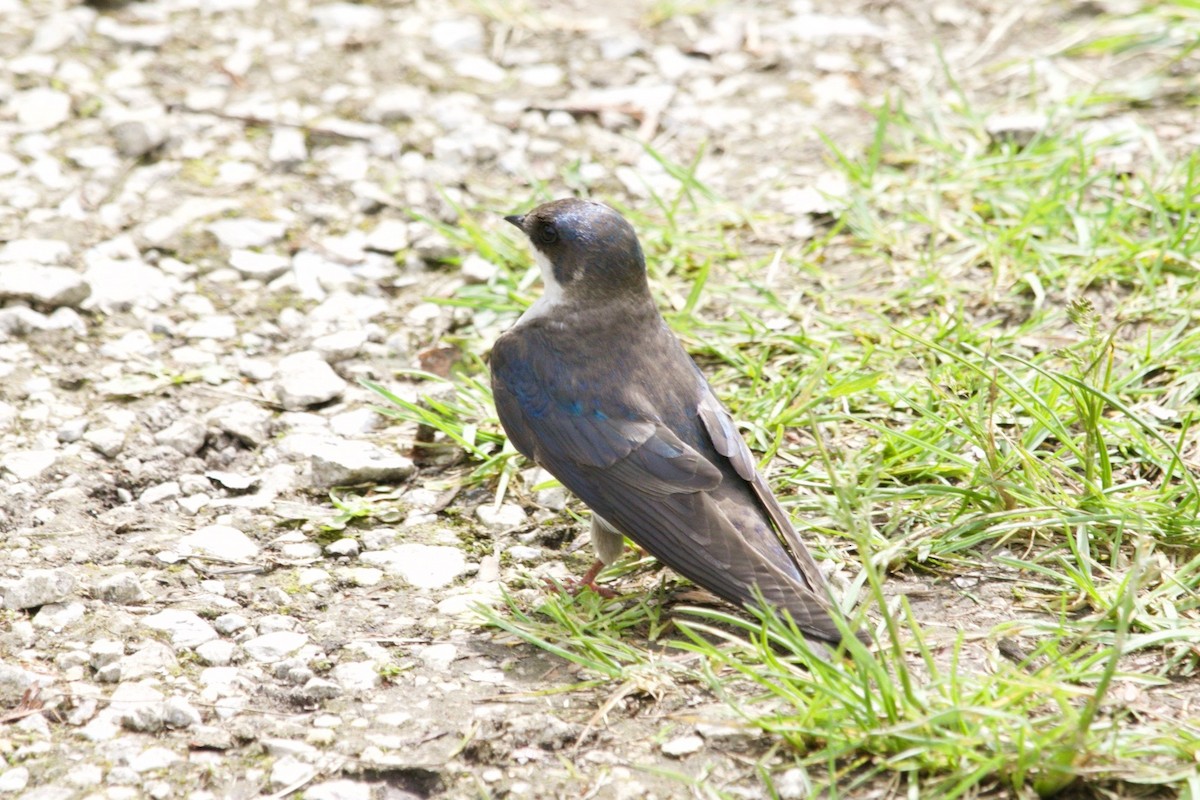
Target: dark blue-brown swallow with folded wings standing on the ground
(592, 386)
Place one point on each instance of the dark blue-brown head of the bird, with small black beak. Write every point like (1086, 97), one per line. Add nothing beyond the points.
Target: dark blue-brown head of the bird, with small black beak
(592, 250)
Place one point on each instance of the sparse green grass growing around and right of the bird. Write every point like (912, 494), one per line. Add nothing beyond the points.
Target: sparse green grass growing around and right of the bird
(982, 376)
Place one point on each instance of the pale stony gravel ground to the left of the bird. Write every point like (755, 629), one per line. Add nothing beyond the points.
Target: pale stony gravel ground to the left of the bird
(206, 245)
